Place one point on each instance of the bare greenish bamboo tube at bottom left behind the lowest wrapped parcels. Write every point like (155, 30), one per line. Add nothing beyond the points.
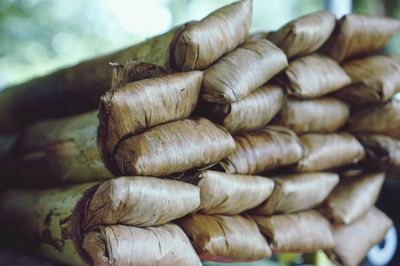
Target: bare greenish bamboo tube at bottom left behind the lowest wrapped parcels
(48, 220)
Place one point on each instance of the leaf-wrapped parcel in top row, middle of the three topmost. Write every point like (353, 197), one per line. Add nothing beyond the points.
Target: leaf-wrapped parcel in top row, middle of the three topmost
(305, 34)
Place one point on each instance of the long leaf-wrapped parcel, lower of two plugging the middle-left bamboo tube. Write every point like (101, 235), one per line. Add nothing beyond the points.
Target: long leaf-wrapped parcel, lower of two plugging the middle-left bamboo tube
(174, 147)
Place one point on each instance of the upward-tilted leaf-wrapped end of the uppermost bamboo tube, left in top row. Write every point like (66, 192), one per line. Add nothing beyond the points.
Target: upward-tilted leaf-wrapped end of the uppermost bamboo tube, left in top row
(220, 32)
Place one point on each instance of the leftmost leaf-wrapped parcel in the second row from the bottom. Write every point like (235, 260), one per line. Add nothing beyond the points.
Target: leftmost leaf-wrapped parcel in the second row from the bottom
(140, 201)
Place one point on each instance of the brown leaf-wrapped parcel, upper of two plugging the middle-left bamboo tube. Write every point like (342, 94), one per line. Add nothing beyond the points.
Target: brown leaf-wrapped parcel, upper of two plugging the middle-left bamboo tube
(136, 106)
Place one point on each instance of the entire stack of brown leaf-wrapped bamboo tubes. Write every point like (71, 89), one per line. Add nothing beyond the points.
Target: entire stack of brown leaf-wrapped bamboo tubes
(210, 145)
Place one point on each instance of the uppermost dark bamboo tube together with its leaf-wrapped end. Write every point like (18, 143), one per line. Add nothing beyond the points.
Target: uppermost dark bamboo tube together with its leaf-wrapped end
(77, 89)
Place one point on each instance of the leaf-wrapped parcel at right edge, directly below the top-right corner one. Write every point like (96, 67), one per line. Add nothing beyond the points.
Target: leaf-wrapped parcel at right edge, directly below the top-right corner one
(374, 79)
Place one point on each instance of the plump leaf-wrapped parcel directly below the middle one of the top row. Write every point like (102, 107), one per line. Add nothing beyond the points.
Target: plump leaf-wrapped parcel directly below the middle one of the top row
(314, 76)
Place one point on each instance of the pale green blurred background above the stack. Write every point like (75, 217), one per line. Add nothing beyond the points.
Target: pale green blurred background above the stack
(38, 36)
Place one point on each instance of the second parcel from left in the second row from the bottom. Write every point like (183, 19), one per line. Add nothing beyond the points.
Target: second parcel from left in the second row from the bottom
(230, 194)
